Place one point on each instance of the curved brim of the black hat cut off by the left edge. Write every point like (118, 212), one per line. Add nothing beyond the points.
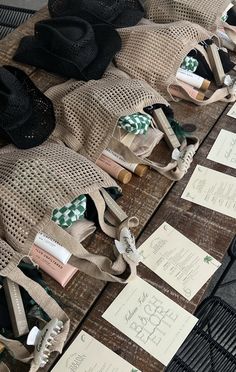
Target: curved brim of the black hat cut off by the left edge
(40, 124)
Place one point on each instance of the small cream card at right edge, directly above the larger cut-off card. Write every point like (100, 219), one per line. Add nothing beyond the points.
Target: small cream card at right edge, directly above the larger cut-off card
(224, 149)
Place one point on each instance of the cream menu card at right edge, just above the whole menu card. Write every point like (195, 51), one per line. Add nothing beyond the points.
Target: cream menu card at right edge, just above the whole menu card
(213, 190)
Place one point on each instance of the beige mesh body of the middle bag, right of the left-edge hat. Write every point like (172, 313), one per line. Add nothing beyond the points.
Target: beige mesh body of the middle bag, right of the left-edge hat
(87, 116)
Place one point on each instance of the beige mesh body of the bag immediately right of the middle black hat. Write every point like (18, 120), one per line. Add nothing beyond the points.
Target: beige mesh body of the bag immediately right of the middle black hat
(154, 52)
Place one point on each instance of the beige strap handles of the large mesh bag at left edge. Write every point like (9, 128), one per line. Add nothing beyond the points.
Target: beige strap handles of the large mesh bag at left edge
(99, 266)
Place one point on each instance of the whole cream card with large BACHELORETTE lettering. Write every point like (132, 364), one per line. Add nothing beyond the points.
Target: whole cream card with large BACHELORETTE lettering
(150, 319)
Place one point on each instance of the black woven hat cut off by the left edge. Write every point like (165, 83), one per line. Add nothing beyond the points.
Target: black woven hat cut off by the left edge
(26, 114)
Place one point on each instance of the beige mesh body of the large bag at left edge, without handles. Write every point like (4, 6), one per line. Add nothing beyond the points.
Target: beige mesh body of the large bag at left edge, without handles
(36, 181)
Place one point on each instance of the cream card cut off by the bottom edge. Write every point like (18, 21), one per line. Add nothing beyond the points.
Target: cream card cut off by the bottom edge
(86, 354)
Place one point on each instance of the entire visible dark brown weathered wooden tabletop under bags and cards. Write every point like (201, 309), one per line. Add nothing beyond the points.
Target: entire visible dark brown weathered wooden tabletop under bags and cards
(153, 199)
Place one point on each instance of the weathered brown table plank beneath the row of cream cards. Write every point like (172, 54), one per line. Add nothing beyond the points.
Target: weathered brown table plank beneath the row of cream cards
(212, 231)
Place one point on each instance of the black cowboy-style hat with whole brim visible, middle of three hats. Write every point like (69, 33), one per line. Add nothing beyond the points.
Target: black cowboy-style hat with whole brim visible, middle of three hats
(70, 47)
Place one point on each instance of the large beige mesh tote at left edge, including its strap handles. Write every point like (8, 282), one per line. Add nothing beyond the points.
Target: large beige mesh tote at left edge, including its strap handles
(36, 181)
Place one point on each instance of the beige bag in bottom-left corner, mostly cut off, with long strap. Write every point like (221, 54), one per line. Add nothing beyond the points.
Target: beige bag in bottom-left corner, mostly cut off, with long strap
(9, 260)
